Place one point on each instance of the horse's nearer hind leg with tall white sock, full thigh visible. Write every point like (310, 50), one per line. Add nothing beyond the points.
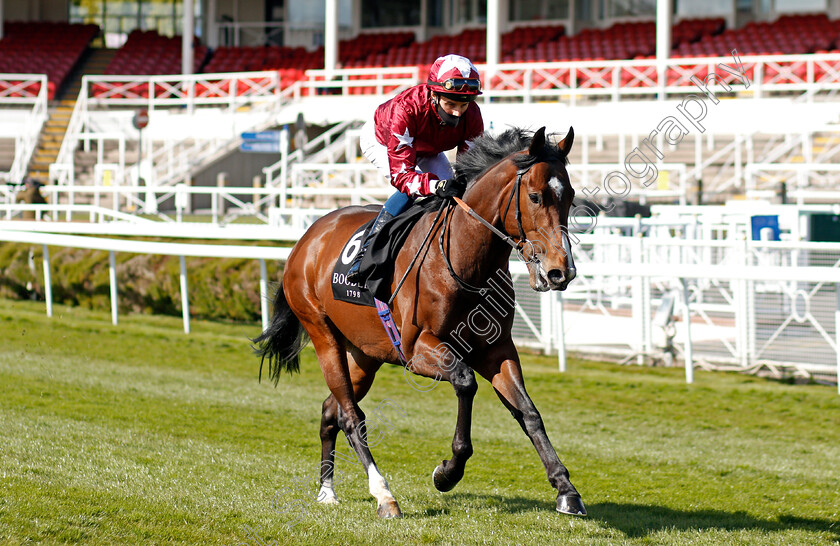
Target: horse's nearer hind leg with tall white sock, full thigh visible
(334, 366)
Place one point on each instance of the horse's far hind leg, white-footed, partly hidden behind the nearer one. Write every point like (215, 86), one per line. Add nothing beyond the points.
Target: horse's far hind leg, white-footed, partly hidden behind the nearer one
(362, 378)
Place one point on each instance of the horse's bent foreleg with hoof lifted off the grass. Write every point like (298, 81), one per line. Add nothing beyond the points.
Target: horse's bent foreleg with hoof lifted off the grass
(433, 360)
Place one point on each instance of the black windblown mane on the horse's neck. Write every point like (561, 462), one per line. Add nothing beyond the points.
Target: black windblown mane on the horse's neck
(487, 150)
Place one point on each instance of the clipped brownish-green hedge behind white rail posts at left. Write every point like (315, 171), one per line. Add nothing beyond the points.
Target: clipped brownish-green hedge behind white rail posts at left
(227, 289)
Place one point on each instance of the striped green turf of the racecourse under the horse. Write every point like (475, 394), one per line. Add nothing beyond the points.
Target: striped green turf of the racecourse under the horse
(139, 434)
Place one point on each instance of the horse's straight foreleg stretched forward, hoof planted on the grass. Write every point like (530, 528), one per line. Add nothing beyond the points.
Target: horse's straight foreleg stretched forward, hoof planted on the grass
(505, 374)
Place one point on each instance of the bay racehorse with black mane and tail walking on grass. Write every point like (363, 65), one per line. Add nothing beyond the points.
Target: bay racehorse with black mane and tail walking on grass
(518, 186)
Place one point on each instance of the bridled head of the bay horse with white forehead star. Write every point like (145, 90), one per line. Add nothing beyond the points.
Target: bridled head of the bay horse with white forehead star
(541, 196)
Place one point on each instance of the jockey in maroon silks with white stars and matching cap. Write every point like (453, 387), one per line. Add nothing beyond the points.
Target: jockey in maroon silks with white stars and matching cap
(410, 132)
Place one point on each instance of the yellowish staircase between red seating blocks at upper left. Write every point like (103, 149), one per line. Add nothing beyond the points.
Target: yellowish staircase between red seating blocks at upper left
(94, 62)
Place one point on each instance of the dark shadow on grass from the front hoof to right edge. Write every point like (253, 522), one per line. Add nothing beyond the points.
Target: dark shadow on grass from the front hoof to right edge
(637, 521)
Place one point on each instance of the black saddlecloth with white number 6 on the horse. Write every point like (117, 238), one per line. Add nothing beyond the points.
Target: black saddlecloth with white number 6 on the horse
(377, 265)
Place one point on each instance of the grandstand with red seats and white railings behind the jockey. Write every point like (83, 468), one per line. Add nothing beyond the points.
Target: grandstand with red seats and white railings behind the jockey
(92, 91)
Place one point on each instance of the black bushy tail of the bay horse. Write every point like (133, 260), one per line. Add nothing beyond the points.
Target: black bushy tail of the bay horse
(282, 341)
